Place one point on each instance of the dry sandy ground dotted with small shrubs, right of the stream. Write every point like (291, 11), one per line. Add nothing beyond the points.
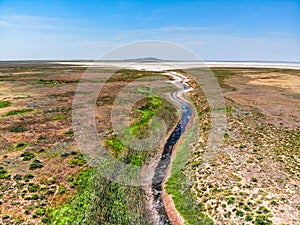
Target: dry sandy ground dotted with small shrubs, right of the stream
(255, 178)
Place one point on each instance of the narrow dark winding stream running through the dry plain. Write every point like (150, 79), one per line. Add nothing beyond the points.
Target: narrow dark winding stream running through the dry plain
(164, 163)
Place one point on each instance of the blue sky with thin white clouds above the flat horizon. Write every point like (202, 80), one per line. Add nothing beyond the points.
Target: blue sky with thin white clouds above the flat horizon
(214, 30)
